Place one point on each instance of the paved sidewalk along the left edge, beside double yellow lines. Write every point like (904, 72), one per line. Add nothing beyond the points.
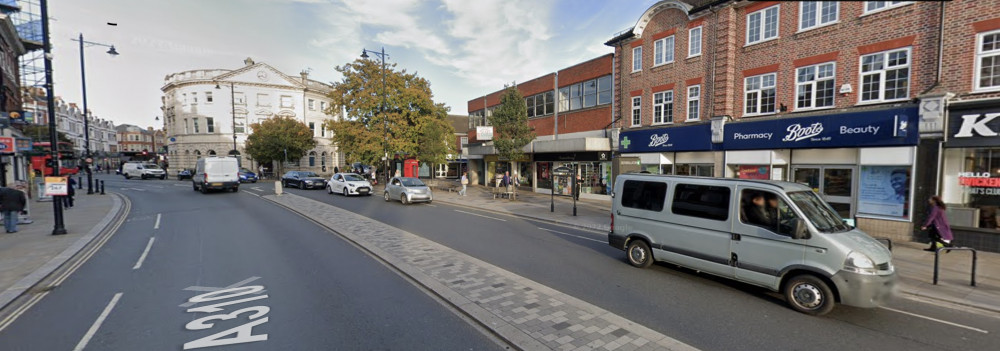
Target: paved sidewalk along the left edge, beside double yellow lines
(31, 254)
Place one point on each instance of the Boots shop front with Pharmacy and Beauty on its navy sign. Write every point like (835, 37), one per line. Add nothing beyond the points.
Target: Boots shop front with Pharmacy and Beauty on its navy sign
(860, 162)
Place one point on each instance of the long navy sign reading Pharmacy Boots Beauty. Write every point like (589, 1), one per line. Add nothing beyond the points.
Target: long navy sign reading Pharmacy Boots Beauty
(891, 127)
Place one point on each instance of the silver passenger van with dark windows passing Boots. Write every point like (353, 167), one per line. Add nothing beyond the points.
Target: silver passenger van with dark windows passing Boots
(778, 235)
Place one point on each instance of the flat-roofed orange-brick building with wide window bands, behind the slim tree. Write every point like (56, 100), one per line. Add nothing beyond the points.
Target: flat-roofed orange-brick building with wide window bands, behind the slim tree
(570, 112)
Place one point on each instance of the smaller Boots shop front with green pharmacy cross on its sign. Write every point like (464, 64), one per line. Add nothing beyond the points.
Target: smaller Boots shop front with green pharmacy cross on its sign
(680, 150)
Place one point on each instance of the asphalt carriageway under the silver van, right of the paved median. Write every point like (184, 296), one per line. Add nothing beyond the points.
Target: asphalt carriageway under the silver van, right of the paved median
(705, 312)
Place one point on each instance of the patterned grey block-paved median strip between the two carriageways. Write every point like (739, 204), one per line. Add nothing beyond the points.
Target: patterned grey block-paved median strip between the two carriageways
(527, 314)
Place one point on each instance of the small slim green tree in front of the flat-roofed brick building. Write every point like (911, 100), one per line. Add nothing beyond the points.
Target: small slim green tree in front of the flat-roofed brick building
(510, 125)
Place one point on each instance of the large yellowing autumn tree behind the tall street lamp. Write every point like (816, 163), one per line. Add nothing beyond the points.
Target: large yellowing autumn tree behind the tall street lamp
(402, 120)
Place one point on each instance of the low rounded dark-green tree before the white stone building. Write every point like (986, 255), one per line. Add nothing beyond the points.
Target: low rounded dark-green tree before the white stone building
(274, 136)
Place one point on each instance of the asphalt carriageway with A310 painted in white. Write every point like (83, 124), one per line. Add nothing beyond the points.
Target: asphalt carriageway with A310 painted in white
(232, 269)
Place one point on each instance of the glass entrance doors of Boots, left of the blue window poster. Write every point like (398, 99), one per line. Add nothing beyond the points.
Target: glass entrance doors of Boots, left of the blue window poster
(835, 184)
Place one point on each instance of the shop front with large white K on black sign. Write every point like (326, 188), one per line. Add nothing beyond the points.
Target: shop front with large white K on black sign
(970, 175)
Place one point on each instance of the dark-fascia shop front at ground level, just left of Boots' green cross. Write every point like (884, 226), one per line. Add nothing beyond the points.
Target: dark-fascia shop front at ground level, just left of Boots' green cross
(593, 170)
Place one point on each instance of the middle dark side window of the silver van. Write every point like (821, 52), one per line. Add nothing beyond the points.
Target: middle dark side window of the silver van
(702, 201)
